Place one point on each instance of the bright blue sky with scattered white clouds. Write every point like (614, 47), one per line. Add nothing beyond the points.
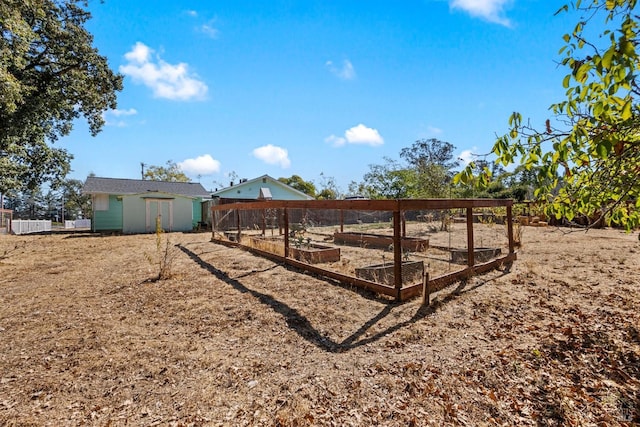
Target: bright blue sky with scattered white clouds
(245, 88)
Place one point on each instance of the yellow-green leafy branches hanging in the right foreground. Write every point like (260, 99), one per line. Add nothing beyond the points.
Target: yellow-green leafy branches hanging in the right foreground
(587, 160)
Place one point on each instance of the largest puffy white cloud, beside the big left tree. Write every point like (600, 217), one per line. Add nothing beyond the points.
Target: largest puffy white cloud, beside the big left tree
(168, 81)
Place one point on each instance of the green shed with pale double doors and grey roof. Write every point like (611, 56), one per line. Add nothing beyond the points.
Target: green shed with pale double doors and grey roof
(132, 205)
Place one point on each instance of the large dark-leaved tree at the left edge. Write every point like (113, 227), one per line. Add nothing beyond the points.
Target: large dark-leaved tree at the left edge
(50, 75)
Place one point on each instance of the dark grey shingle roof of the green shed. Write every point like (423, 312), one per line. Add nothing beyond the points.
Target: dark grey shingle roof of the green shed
(97, 185)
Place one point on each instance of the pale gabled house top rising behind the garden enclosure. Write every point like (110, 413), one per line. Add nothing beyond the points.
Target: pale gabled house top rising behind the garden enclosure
(263, 187)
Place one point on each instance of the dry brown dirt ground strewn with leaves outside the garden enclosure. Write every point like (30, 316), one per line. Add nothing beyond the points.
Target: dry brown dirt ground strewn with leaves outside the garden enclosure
(87, 338)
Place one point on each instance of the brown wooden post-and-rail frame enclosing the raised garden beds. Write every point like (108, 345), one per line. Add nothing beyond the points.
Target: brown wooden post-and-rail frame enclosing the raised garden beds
(395, 209)
